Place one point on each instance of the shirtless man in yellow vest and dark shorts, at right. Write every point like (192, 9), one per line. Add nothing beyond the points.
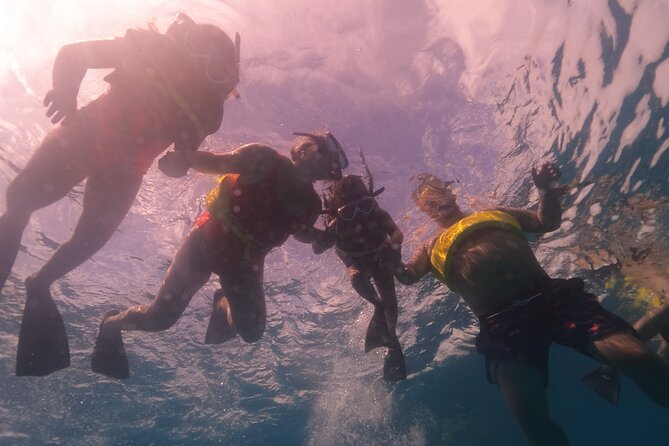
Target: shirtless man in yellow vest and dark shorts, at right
(521, 310)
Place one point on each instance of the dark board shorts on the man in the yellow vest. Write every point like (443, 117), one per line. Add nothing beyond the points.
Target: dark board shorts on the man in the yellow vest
(561, 311)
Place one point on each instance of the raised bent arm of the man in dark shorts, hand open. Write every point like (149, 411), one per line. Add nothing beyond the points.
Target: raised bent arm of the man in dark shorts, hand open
(548, 217)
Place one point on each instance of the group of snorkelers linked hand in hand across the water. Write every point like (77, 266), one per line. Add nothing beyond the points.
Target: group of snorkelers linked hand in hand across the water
(168, 90)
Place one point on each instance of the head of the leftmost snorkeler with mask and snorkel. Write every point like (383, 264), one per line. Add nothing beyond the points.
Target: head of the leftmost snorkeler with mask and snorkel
(220, 56)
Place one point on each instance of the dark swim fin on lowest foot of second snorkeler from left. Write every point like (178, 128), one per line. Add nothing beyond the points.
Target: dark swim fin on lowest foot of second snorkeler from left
(109, 357)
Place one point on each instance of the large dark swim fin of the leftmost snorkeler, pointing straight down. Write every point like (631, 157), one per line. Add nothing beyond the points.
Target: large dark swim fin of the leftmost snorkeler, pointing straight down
(43, 346)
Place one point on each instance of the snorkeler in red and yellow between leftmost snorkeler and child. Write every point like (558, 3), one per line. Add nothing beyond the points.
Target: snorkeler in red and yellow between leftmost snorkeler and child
(261, 199)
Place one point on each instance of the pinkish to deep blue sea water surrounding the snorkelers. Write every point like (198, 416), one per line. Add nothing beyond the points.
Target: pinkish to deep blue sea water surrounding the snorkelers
(476, 90)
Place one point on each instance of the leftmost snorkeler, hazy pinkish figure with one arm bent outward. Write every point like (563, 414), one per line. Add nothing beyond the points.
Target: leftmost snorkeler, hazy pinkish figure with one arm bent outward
(166, 89)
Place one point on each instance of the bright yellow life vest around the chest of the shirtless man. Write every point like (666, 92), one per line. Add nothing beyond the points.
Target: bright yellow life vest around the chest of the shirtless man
(447, 243)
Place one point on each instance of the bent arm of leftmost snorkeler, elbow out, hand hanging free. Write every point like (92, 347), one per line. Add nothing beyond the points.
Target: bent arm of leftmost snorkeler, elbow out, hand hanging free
(69, 68)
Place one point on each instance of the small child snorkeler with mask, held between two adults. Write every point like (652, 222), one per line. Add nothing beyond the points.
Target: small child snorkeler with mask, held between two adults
(368, 241)
